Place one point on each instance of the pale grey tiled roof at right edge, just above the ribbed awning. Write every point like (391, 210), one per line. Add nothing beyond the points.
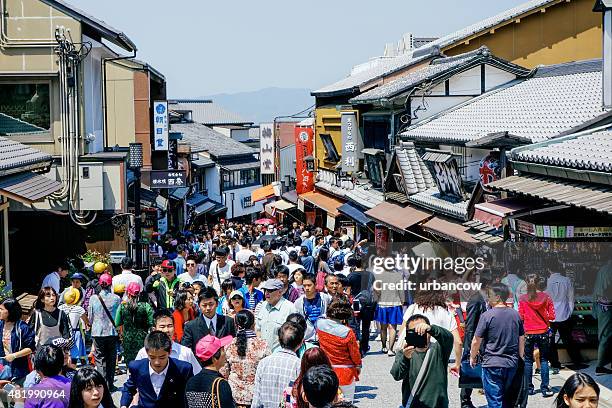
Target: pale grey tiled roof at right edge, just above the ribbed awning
(592, 151)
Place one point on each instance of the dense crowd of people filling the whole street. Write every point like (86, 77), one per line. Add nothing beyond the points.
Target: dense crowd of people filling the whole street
(250, 316)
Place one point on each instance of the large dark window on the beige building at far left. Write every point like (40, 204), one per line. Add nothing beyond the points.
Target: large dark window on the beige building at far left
(25, 108)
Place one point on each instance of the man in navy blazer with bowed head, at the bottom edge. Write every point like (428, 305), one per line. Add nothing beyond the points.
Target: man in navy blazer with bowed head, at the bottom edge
(159, 380)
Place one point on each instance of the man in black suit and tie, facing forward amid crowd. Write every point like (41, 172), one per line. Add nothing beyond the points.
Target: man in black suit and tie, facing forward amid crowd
(200, 327)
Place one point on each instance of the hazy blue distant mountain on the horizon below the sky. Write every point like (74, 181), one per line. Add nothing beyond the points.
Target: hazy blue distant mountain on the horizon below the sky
(266, 104)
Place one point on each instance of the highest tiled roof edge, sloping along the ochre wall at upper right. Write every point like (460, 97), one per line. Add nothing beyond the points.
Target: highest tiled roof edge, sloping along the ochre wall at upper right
(488, 23)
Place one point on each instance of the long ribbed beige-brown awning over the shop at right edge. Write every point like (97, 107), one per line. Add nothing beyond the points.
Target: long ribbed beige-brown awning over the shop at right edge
(574, 193)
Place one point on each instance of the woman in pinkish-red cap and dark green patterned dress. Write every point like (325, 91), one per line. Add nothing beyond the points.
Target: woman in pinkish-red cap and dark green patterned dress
(136, 318)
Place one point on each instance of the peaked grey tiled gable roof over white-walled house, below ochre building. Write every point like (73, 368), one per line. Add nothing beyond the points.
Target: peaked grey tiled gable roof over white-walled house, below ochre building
(437, 71)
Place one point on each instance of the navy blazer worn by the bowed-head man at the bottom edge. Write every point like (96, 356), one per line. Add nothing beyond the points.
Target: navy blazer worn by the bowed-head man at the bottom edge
(172, 393)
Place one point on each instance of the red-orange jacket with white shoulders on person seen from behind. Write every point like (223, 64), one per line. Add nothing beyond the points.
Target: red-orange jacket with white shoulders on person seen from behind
(341, 347)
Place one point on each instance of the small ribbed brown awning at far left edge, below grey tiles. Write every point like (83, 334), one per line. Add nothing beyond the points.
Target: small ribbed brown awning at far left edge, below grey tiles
(28, 187)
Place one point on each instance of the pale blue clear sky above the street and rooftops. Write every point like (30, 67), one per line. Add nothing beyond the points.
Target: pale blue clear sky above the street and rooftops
(205, 47)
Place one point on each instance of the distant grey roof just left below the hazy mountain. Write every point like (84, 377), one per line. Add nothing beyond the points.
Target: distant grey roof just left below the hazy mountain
(207, 112)
